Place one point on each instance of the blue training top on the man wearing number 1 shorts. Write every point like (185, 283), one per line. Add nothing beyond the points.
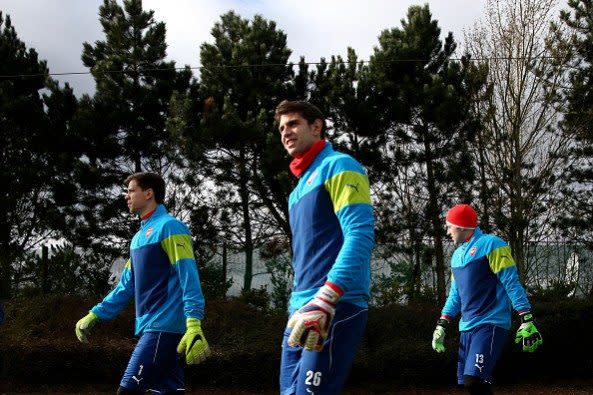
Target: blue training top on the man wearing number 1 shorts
(161, 275)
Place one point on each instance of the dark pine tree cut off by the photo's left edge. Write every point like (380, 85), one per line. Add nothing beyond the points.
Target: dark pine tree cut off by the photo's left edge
(37, 152)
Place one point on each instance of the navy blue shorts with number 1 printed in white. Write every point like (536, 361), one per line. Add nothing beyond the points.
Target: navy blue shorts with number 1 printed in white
(155, 365)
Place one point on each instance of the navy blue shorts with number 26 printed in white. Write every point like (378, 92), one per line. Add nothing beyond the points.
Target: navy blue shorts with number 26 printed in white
(325, 372)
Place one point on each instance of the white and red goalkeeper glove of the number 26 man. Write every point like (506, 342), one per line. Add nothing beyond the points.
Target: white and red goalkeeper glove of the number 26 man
(310, 324)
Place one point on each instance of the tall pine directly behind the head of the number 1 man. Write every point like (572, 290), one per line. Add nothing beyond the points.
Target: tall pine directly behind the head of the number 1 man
(123, 125)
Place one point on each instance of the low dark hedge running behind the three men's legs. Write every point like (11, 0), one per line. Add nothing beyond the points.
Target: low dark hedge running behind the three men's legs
(39, 347)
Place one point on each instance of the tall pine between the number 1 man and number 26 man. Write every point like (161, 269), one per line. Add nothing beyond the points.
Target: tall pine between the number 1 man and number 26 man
(243, 77)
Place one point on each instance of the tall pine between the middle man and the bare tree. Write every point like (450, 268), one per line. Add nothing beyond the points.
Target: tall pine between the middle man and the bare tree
(422, 96)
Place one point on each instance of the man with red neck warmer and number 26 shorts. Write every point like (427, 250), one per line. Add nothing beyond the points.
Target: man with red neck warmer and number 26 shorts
(331, 219)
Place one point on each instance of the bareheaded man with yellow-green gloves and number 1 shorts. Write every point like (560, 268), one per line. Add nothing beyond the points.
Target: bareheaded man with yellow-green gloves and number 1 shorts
(161, 275)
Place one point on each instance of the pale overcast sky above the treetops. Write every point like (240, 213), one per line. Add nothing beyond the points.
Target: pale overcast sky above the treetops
(315, 28)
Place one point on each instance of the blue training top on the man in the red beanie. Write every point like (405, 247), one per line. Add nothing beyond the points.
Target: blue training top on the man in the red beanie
(484, 284)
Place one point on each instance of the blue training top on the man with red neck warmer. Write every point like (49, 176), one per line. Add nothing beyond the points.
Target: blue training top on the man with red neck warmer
(332, 224)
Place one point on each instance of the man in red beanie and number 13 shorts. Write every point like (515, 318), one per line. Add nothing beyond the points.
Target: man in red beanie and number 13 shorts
(484, 286)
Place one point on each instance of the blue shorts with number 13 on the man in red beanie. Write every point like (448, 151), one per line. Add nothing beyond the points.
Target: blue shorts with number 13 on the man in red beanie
(479, 350)
